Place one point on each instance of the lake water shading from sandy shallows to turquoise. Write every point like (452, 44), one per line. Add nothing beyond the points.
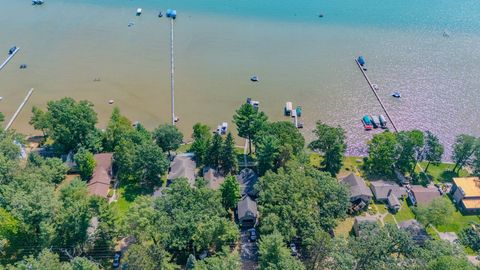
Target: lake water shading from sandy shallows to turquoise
(219, 44)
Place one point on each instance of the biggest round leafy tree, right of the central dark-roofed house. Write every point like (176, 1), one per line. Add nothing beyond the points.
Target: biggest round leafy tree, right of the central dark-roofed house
(298, 201)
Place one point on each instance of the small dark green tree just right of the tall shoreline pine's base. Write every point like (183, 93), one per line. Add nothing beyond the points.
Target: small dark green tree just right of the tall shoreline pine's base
(268, 149)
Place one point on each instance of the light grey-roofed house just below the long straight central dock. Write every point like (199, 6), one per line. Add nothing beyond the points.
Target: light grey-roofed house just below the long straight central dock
(182, 166)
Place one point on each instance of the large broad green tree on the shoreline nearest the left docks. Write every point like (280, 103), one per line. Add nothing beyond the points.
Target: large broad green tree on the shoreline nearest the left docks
(69, 123)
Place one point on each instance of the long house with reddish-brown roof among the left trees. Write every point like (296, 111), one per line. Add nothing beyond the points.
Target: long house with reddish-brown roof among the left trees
(99, 184)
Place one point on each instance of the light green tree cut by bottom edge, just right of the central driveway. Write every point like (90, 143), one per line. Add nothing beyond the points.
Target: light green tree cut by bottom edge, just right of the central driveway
(275, 255)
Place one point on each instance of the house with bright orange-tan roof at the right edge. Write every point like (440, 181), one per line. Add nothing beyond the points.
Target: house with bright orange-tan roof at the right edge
(466, 193)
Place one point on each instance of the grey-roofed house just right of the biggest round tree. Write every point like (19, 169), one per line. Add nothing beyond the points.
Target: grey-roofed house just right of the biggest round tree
(360, 194)
